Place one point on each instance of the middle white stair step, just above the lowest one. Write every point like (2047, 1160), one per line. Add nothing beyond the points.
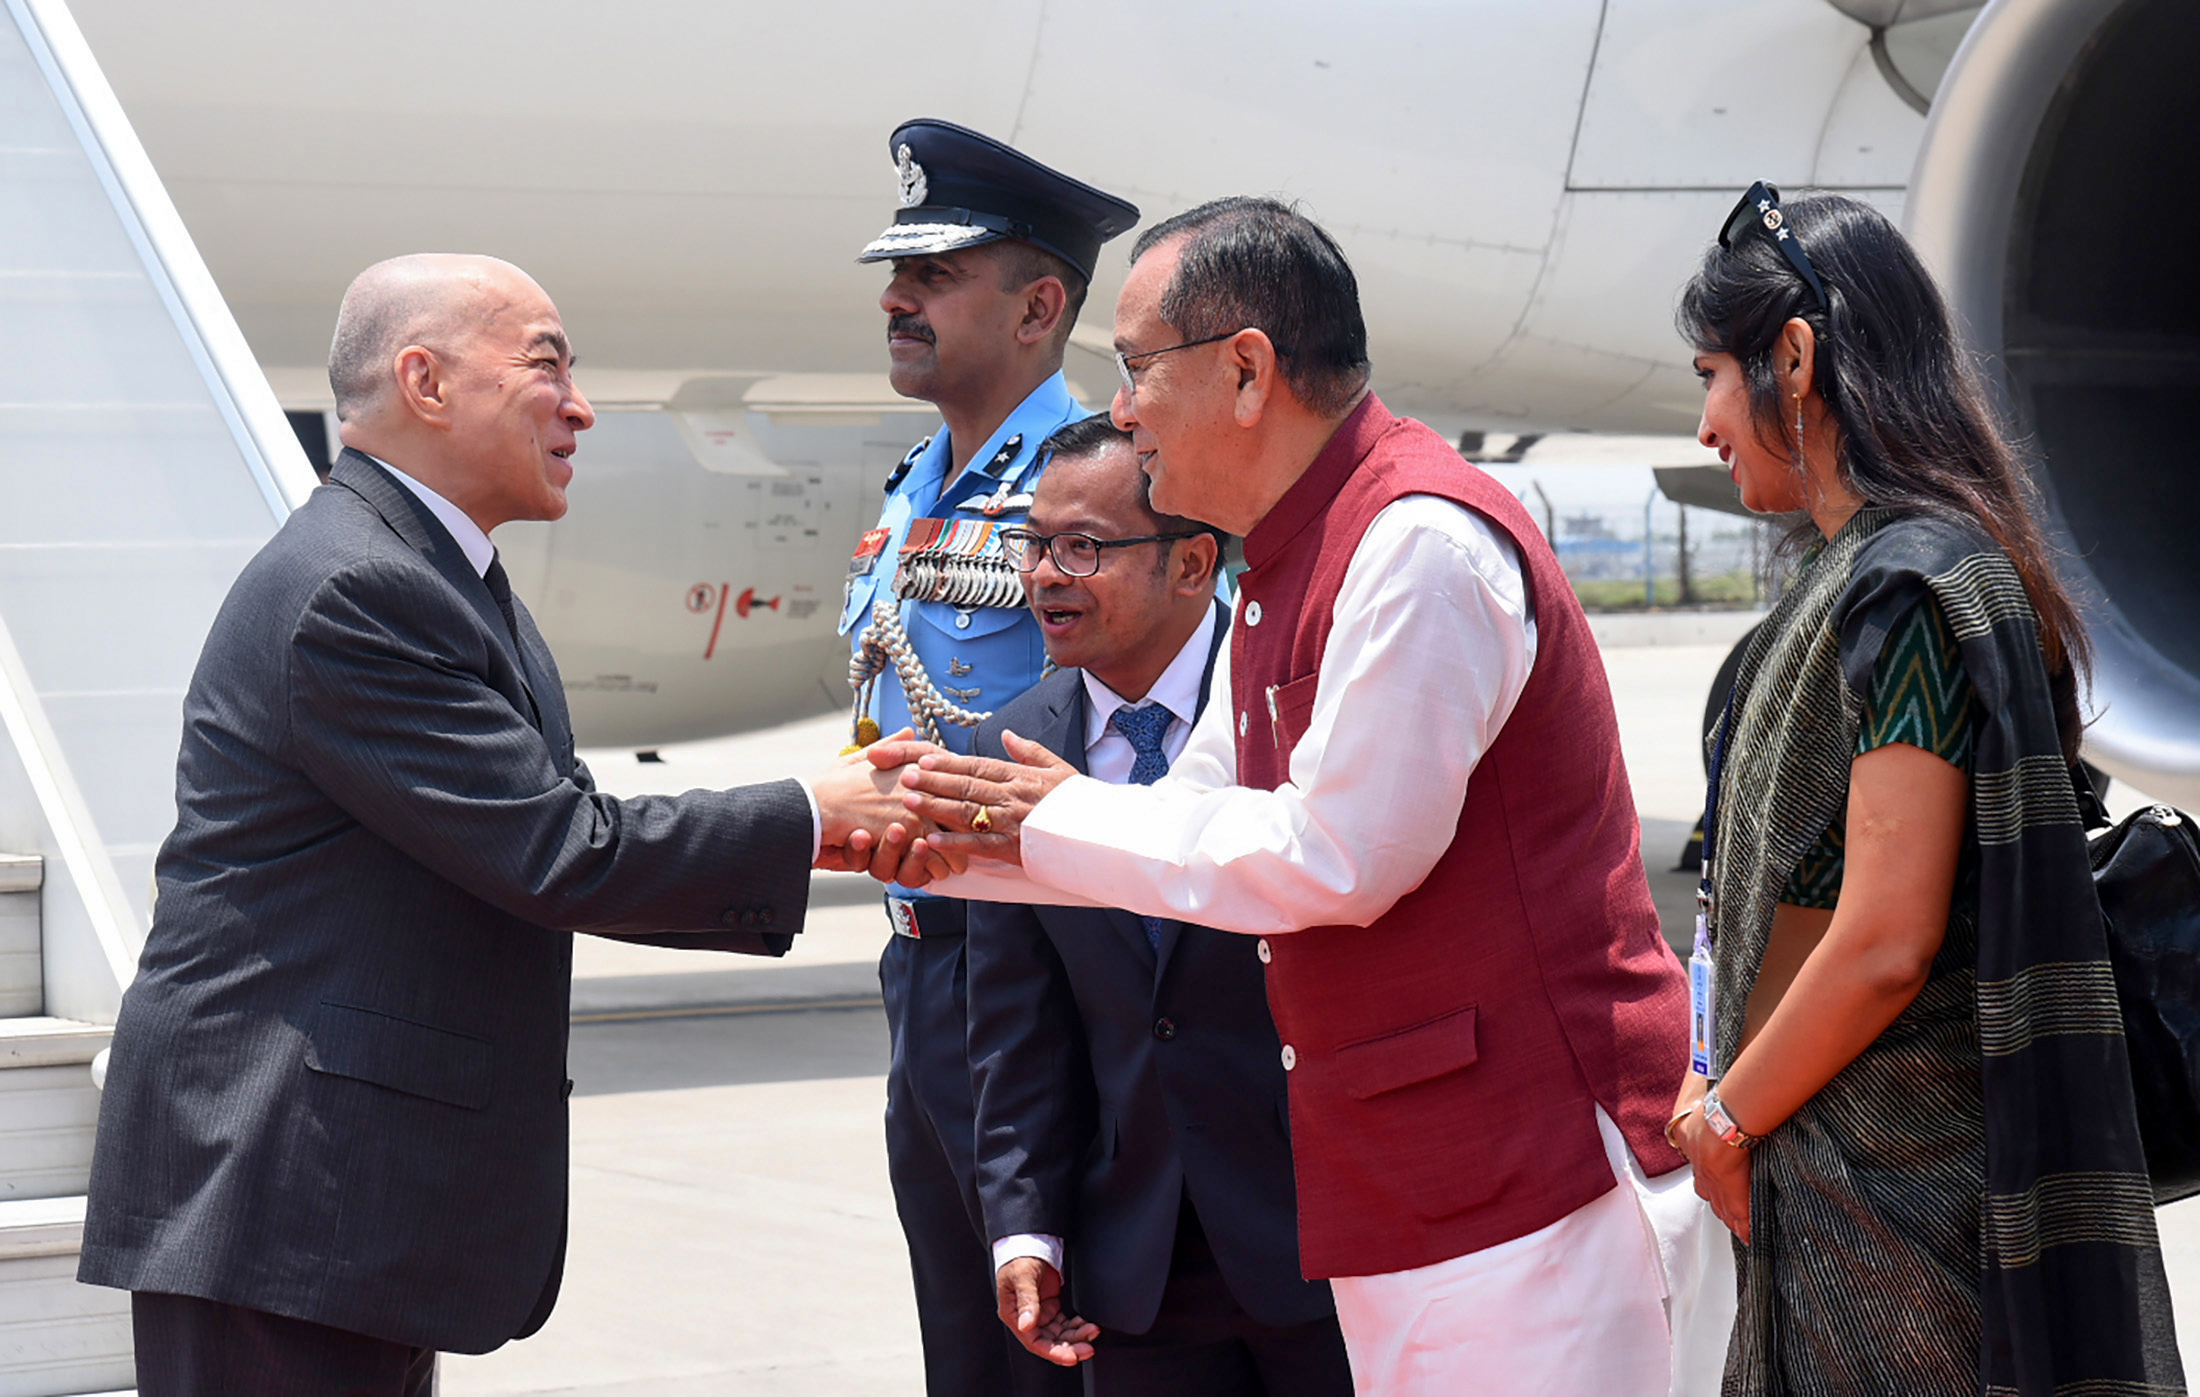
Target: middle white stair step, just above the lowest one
(49, 1108)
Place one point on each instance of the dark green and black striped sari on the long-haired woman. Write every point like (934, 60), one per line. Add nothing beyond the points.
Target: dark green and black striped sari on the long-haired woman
(1966, 1207)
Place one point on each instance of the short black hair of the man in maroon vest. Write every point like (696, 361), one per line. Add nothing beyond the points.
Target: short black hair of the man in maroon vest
(1262, 265)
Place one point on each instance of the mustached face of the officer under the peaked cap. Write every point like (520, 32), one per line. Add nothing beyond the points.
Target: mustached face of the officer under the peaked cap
(951, 327)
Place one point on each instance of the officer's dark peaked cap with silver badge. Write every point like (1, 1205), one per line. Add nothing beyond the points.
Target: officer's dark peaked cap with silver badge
(962, 190)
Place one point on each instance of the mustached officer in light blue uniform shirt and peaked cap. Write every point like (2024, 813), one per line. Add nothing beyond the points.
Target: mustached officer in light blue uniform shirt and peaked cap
(991, 261)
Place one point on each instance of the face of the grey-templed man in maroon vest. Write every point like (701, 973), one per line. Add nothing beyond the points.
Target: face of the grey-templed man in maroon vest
(1180, 415)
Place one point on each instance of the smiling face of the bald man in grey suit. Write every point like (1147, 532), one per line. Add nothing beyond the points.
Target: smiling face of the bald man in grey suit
(514, 404)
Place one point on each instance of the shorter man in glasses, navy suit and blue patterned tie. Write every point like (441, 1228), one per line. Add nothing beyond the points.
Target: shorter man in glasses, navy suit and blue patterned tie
(1130, 1099)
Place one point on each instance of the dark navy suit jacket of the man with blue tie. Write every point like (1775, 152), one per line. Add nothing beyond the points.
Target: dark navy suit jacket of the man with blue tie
(1112, 1083)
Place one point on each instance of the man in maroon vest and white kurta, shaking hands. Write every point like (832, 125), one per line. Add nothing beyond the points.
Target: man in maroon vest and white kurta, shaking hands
(1413, 795)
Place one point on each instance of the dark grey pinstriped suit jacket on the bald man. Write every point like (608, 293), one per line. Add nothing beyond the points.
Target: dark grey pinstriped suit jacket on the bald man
(340, 1079)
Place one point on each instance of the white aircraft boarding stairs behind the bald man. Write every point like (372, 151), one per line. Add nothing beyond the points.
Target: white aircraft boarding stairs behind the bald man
(142, 463)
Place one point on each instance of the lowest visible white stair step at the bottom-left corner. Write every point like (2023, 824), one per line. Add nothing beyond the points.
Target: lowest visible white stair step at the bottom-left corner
(56, 1336)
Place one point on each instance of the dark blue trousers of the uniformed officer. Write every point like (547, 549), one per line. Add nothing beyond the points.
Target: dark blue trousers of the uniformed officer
(932, 1158)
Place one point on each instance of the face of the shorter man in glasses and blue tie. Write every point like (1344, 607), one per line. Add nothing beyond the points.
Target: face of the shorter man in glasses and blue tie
(1125, 621)
